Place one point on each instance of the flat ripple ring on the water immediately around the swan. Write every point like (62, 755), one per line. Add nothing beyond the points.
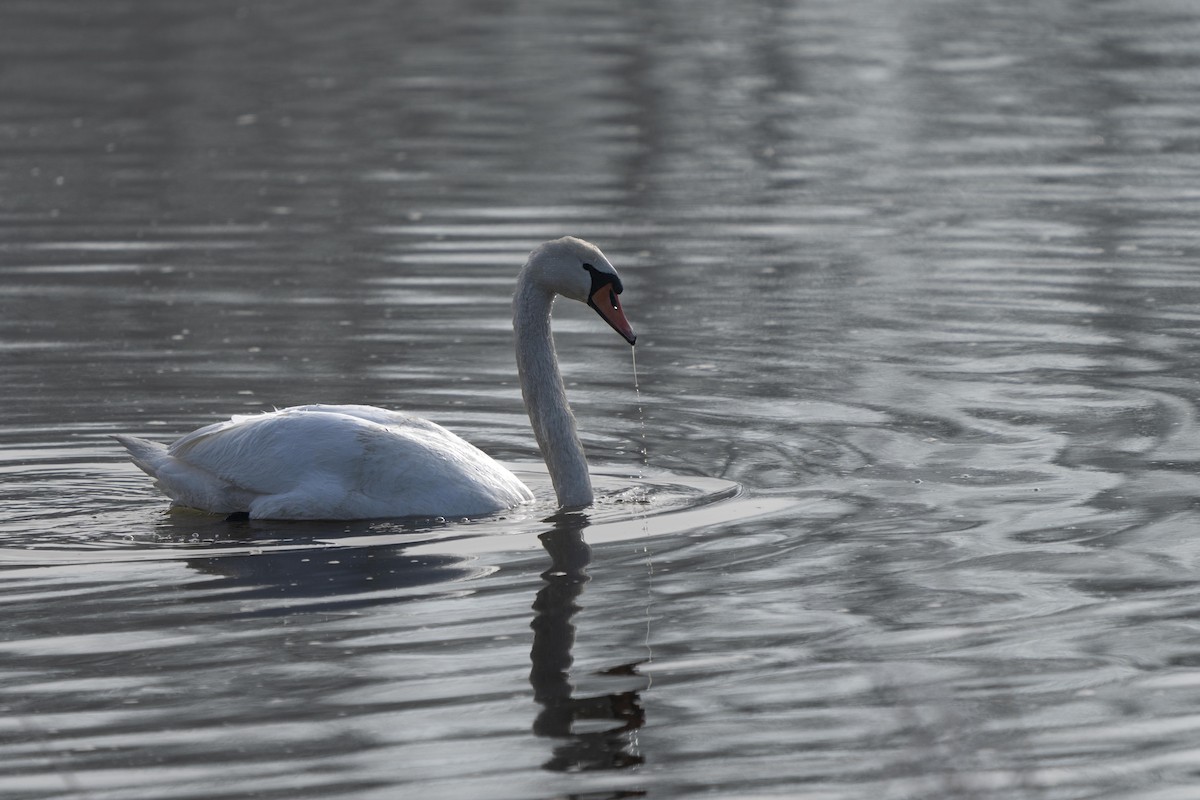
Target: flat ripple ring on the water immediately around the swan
(136, 525)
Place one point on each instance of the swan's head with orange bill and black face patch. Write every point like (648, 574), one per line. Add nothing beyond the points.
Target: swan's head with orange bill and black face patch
(577, 269)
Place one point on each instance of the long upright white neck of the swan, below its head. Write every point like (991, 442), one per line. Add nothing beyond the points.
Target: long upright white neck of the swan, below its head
(545, 398)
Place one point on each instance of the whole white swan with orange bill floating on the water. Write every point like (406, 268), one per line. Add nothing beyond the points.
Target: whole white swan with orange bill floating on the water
(359, 462)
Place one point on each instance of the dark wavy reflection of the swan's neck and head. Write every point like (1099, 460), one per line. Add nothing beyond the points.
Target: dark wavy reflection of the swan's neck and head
(599, 747)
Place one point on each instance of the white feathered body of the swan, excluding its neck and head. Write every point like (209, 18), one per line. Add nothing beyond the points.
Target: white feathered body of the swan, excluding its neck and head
(329, 462)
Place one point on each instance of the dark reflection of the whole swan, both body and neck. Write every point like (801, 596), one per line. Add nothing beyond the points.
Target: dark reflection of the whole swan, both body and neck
(589, 733)
